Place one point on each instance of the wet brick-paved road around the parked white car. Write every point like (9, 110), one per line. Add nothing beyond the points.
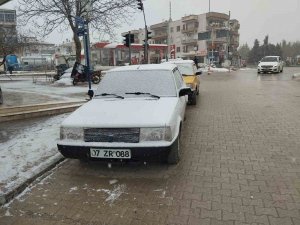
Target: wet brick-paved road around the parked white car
(240, 165)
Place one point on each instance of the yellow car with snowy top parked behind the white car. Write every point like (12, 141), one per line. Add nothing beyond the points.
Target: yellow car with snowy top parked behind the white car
(190, 74)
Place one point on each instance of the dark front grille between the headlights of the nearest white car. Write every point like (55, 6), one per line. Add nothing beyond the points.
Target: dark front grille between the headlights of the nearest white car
(127, 135)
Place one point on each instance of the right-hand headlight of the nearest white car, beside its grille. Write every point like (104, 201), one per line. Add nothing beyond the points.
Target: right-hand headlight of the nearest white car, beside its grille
(155, 134)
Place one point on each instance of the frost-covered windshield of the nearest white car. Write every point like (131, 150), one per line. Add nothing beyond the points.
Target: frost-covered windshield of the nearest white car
(158, 82)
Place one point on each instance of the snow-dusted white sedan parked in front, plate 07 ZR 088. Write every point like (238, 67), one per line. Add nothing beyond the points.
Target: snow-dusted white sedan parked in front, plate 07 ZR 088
(135, 114)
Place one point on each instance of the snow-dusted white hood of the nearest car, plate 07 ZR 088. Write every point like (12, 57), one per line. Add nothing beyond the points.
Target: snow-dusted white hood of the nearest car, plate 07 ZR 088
(128, 112)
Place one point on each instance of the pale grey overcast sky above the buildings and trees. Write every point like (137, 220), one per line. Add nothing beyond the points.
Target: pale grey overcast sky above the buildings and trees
(280, 19)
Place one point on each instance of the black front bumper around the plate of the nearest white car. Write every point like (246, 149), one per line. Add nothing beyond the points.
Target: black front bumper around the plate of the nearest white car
(137, 153)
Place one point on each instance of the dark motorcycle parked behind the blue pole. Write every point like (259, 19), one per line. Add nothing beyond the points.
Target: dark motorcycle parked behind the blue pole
(79, 74)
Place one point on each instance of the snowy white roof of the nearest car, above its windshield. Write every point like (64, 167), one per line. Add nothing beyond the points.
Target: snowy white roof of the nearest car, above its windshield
(169, 67)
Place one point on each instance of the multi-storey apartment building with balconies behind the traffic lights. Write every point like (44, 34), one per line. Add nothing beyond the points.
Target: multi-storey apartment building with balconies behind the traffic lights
(210, 37)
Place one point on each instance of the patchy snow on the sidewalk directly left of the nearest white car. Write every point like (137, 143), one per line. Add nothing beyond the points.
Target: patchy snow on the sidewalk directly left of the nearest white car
(25, 155)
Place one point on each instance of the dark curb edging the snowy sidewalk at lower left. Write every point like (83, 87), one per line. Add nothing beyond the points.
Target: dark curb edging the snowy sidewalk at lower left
(7, 197)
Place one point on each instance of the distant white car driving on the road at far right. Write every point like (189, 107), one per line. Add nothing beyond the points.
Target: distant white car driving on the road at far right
(272, 64)
